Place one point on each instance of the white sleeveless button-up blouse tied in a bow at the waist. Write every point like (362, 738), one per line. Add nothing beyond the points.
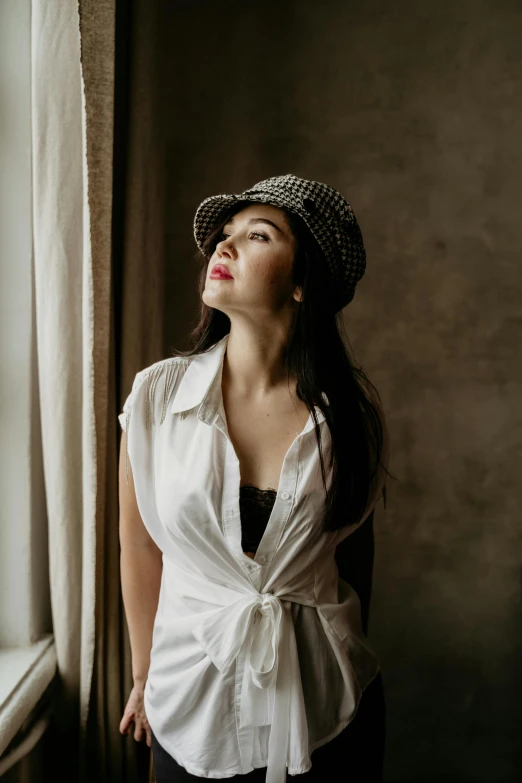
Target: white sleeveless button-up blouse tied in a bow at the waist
(254, 662)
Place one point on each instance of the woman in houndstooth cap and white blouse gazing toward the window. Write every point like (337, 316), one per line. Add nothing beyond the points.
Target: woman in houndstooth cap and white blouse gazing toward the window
(247, 463)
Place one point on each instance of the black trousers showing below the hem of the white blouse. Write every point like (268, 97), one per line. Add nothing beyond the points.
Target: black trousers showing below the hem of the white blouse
(356, 754)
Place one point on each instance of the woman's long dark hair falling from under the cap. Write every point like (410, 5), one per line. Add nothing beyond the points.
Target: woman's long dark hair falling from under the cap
(318, 357)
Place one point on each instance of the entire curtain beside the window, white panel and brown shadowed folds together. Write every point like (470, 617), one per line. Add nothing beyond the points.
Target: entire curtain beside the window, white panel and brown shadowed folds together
(98, 234)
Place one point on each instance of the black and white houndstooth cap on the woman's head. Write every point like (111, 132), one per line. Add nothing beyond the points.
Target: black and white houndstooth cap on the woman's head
(327, 214)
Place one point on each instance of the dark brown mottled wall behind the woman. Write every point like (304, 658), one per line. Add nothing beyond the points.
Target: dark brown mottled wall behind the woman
(413, 111)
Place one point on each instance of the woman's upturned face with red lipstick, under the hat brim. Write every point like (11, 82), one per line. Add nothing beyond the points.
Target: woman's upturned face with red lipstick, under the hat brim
(257, 249)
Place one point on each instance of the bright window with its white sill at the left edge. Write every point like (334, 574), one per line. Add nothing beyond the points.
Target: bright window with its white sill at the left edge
(27, 655)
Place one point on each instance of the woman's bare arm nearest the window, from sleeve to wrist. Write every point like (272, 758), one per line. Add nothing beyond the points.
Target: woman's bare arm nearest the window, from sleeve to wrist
(141, 568)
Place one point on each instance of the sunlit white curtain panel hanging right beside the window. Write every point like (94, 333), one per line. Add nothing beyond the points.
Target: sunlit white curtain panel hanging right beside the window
(65, 349)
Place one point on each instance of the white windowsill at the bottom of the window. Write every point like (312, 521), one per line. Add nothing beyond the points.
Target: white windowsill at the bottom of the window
(25, 673)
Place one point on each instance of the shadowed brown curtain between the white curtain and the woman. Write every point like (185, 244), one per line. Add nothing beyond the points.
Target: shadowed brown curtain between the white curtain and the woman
(130, 323)
